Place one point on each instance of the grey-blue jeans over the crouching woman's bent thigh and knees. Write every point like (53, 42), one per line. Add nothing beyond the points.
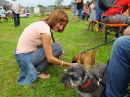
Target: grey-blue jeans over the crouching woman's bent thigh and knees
(38, 57)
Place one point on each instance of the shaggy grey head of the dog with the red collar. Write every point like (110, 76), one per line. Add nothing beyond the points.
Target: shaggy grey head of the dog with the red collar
(75, 76)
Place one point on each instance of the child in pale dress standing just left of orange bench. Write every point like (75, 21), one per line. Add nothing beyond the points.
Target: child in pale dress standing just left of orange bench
(92, 13)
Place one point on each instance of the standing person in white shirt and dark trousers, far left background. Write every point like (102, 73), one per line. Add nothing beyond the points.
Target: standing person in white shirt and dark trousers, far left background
(16, 7)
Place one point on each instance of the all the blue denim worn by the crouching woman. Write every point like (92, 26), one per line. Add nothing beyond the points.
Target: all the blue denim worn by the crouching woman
(30, 63)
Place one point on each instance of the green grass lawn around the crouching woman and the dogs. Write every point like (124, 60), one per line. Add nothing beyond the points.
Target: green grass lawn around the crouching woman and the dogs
(74, 39)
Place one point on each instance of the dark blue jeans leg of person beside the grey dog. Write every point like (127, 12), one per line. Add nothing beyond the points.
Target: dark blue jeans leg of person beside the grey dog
(118, 73)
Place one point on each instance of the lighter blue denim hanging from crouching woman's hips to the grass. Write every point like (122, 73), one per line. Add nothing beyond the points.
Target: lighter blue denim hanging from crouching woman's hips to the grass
(28, 73)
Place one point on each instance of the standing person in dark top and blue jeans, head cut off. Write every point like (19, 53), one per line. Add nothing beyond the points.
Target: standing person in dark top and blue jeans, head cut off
(80, 8)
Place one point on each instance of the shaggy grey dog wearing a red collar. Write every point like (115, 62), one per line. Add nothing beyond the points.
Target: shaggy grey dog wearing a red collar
(87, 83)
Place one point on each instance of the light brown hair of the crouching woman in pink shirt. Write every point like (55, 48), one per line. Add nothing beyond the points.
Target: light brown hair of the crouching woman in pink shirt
(55, 17)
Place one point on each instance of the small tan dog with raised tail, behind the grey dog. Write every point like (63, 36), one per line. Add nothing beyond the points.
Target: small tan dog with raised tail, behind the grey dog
(85, 58)
